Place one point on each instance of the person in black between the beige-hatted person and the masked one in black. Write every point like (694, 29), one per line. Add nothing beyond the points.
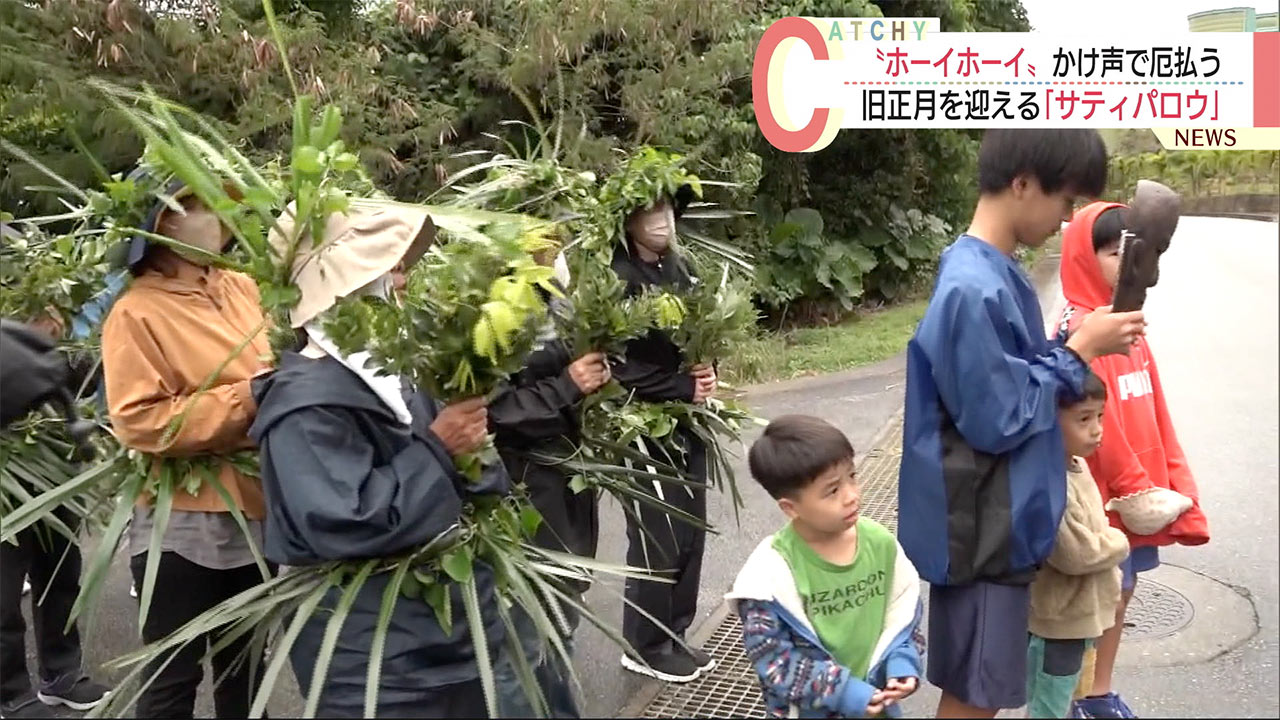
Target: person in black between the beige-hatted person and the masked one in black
(540, 412)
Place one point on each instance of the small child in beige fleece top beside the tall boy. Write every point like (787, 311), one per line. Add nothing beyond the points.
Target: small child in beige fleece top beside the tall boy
(1076, 594)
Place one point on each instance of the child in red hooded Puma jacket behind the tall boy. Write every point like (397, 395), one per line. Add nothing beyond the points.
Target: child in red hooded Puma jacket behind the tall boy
(1141, 470)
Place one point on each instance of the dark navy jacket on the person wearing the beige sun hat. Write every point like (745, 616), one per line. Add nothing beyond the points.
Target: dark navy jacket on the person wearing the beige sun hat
(346, 481)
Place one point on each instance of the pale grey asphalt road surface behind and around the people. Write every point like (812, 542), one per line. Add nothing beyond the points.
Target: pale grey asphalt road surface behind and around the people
(1213, 325)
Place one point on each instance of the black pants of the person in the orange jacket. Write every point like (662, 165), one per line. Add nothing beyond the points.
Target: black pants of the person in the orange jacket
(184, 591)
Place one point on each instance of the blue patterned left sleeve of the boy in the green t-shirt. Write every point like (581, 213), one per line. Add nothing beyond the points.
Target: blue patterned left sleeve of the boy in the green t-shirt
(807, 678)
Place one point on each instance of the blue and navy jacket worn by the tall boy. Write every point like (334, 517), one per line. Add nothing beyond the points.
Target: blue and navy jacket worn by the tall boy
(984, 477)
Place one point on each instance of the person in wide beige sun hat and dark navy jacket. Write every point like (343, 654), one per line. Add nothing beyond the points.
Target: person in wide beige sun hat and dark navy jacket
(358, 466)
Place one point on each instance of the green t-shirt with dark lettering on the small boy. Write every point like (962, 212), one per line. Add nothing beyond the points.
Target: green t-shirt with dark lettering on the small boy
(845, 604)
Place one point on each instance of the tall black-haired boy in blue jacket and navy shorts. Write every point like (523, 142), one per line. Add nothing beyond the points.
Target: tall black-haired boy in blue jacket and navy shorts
(982, 485)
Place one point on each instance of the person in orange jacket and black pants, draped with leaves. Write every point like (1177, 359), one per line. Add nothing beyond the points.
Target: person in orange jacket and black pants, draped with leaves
(179, 350)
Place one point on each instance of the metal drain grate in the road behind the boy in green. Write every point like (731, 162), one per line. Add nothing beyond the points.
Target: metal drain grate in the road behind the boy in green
(732, 689)
